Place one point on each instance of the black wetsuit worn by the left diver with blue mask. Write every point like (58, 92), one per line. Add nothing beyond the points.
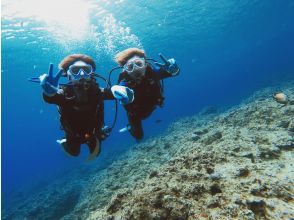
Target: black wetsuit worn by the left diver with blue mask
(81, 116)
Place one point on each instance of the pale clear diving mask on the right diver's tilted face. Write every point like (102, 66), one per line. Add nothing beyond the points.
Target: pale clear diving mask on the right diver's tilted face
(135, 67)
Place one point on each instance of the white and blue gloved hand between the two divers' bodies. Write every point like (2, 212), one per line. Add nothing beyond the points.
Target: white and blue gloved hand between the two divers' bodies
(124, 94)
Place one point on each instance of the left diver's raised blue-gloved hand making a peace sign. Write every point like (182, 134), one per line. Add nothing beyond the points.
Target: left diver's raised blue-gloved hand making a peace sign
(49, 83)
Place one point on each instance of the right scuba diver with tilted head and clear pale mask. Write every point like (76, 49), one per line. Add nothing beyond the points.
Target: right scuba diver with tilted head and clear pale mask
(145, 80)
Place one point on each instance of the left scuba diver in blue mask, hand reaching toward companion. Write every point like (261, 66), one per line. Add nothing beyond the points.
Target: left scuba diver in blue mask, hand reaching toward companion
(80, 103)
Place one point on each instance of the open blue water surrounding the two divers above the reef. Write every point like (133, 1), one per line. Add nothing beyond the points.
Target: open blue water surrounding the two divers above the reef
(226, 49)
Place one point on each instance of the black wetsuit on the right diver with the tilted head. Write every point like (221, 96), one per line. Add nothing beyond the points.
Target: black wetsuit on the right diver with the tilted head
(148, 94)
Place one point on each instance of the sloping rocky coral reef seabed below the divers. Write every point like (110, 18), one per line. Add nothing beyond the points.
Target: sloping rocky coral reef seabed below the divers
(232, 165)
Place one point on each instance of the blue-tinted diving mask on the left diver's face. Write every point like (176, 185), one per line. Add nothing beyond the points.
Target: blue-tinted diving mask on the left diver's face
(80, 70)
